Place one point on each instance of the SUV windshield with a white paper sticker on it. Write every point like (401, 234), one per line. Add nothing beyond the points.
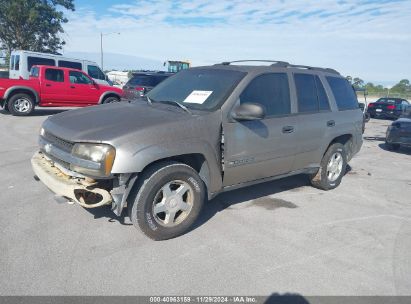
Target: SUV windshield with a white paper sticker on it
(200, 89)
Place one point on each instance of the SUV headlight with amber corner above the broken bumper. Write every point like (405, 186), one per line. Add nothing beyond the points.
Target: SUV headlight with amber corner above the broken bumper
(101, 155)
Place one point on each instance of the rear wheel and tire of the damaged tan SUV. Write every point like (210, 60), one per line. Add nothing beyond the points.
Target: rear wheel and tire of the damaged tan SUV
(325, 179)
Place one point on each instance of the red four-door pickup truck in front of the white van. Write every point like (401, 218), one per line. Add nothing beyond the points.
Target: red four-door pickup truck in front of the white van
(51, 86)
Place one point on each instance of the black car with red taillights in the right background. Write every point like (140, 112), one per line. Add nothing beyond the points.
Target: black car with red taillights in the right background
(388, 107)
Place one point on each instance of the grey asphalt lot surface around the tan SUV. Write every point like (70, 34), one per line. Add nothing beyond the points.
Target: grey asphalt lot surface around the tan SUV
(277, 237)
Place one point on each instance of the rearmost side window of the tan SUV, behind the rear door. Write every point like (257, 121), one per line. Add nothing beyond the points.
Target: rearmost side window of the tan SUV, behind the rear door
(343, 93)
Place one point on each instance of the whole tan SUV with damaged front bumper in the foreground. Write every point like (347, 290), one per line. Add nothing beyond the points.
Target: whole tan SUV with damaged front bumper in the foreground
(201, 132)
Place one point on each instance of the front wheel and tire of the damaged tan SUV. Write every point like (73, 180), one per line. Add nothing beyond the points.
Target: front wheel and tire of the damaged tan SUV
(176, 212)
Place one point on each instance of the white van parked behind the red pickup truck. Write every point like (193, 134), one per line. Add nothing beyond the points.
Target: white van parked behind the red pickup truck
(22, 61)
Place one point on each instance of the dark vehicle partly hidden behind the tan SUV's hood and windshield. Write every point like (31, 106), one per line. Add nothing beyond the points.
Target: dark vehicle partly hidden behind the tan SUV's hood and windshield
(142, 82)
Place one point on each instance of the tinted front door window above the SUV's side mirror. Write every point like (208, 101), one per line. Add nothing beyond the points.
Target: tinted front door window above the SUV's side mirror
(270, 90)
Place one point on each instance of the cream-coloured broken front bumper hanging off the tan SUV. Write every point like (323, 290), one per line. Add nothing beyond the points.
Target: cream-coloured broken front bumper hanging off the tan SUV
(80, 190)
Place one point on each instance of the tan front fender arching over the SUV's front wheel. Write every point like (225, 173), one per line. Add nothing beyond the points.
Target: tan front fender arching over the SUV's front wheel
(137, 161)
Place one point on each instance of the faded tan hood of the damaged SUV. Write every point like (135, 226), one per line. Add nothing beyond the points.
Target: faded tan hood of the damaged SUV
(112, 122)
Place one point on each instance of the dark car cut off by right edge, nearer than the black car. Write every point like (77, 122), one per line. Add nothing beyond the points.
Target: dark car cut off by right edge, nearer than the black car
(399, 133)
